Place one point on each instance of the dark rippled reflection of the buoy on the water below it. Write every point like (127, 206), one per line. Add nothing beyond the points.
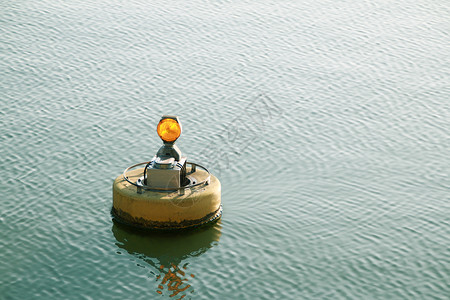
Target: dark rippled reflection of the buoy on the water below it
(166, 251)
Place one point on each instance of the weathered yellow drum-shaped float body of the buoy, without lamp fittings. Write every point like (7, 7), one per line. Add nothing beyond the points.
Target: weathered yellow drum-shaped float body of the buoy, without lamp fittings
(164, 209)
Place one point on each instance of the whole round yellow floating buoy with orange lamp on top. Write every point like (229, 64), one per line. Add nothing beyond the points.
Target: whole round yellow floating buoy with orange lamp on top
(167, 192)
